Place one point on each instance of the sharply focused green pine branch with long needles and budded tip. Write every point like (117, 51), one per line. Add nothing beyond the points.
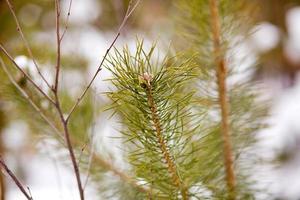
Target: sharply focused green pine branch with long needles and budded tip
(148, 96)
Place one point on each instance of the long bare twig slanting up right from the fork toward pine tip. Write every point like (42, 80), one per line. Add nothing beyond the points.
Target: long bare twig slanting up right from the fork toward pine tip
(127, 15)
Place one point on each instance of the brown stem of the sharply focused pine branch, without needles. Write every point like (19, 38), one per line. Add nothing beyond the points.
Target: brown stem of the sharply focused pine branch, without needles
(163, 146)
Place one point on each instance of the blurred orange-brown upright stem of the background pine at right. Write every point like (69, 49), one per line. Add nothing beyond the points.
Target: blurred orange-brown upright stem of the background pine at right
(221, 76)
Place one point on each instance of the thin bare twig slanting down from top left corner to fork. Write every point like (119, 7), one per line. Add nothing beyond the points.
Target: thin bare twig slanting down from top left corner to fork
(19, 29)
